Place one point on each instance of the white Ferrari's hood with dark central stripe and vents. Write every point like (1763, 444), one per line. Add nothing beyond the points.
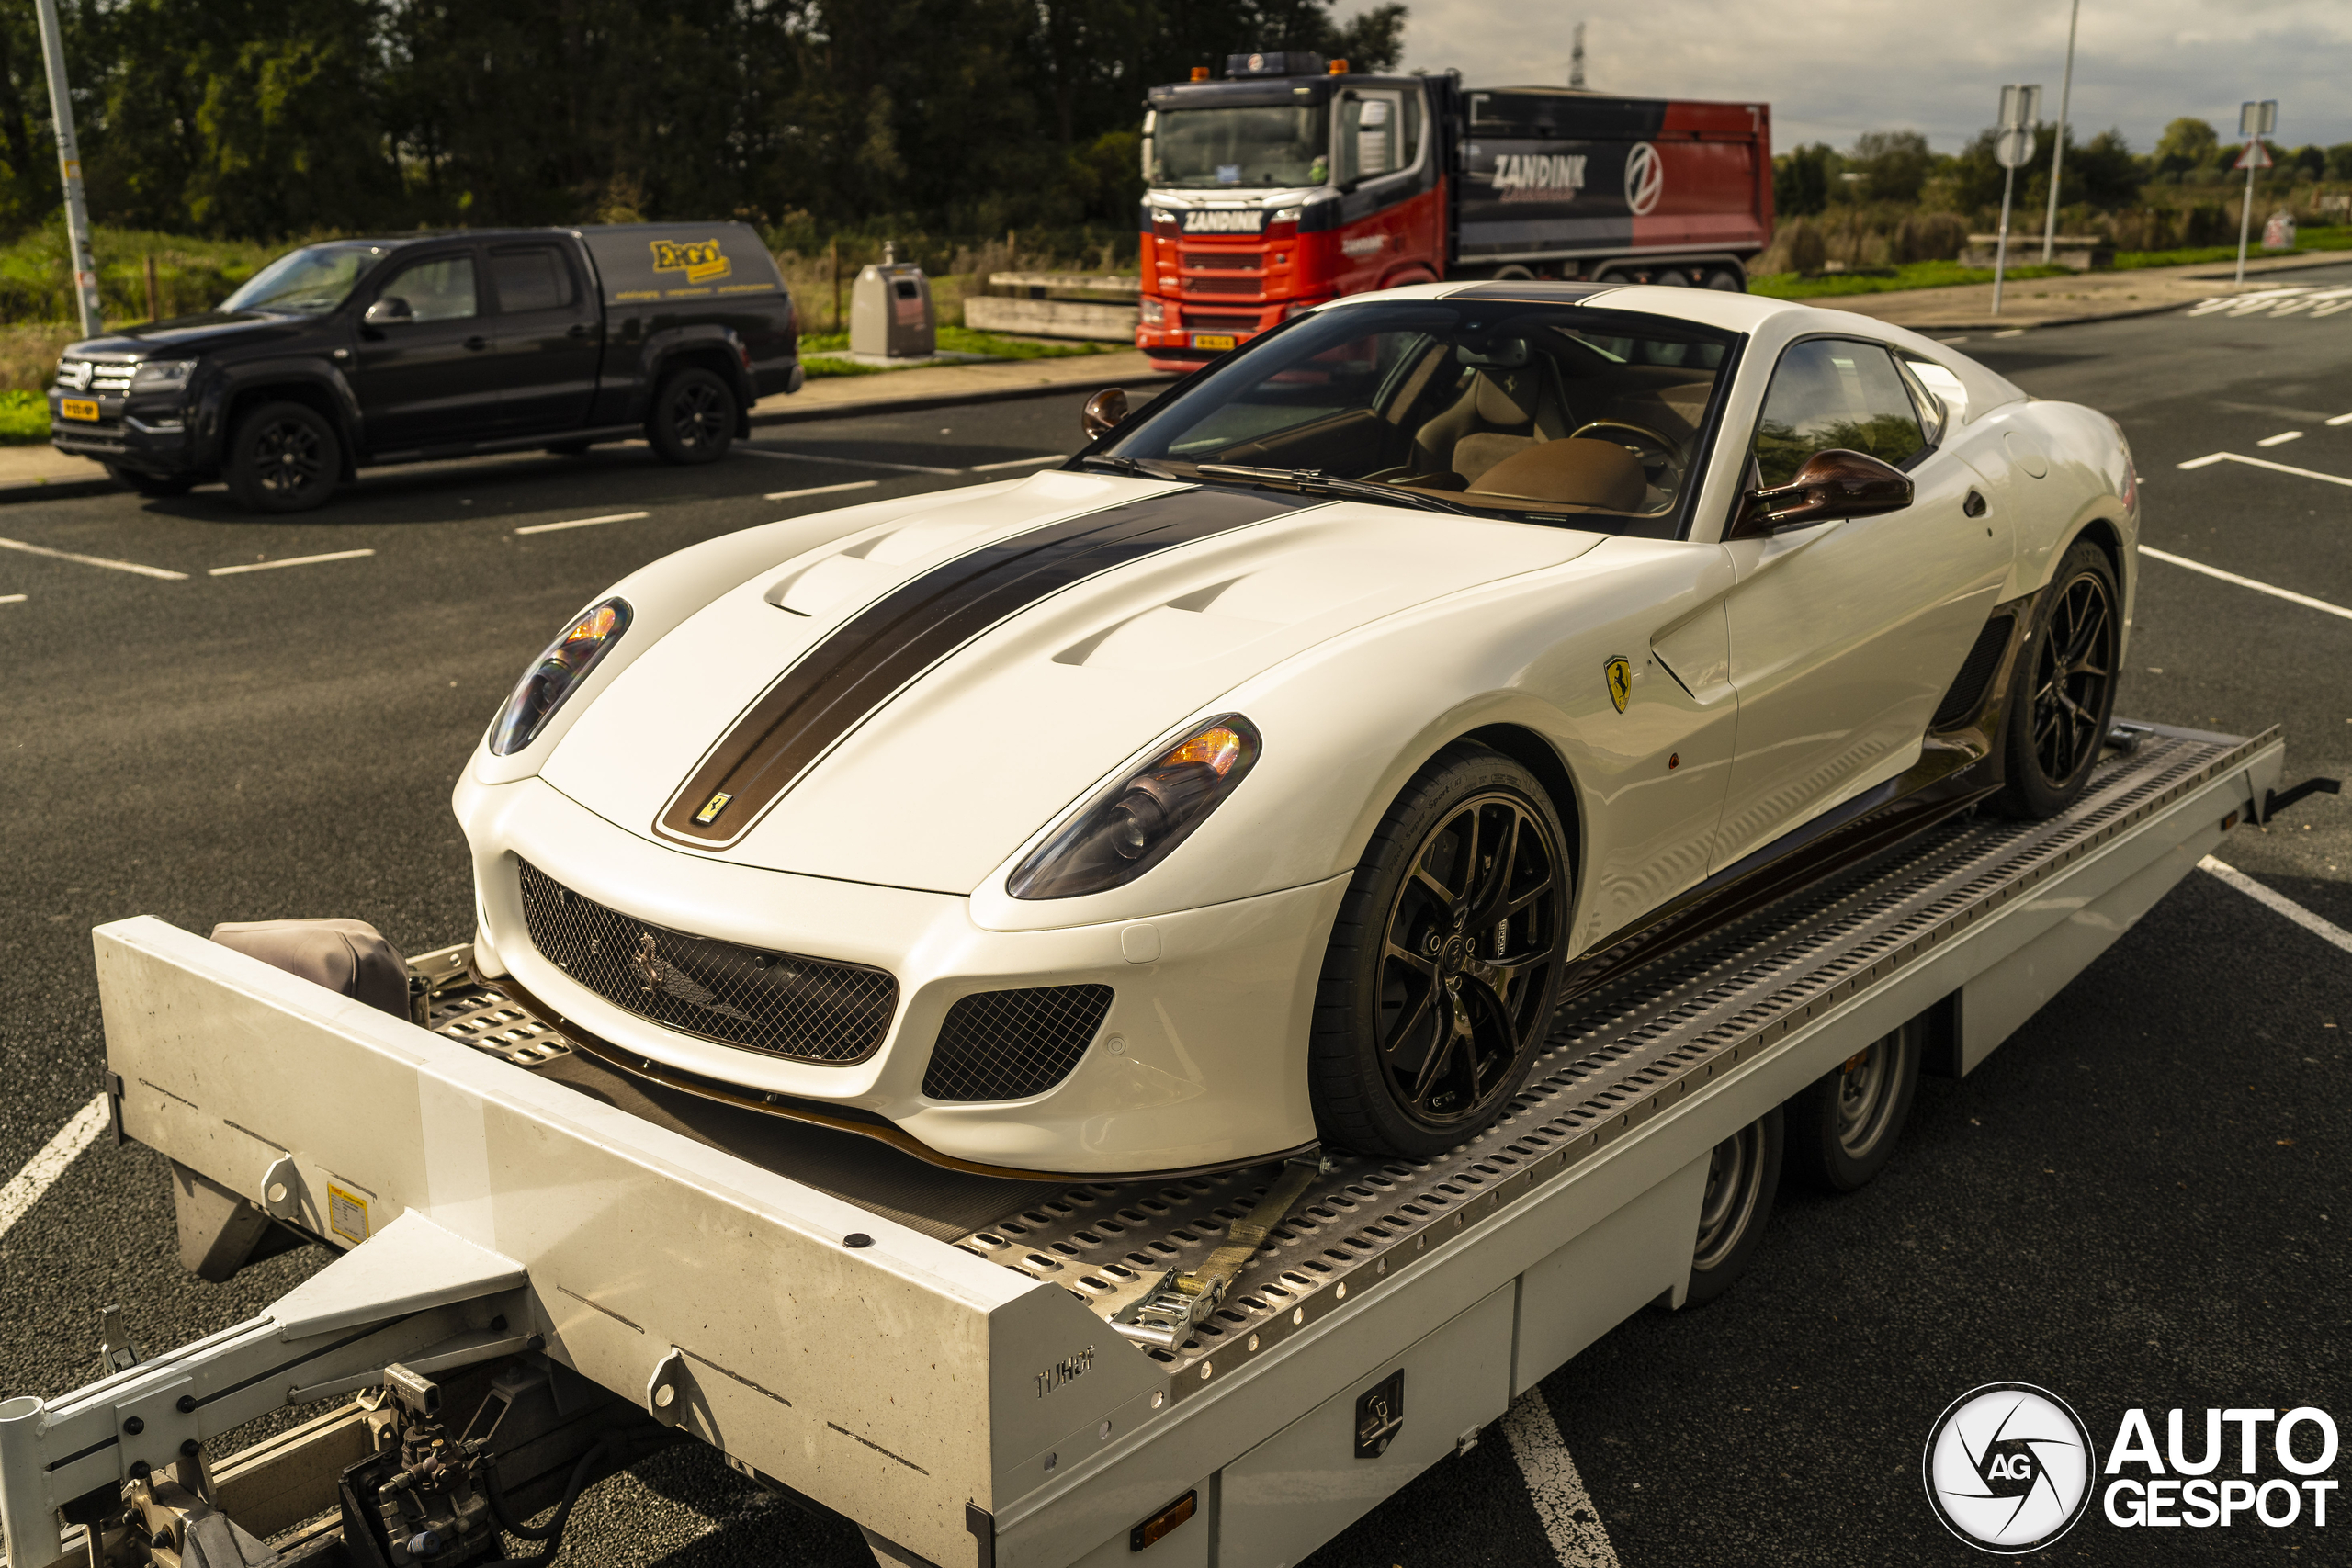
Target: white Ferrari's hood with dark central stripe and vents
(911, 702)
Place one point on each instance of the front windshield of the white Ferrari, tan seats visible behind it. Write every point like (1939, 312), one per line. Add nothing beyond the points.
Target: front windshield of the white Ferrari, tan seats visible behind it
(1546, 413)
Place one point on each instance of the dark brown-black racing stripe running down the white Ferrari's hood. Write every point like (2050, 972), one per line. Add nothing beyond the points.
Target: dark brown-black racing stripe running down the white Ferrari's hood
(883, 648)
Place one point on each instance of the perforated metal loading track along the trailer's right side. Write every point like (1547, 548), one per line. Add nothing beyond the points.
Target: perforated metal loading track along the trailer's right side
(1619, 1057)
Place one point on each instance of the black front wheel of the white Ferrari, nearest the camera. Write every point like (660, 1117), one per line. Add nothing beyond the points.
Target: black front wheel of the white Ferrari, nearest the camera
(1445, 960)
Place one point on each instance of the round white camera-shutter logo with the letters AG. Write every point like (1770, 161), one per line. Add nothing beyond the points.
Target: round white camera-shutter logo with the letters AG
(2010, 1468)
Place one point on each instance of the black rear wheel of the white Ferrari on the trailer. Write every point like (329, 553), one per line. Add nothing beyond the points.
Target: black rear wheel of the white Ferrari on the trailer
(2062, 695)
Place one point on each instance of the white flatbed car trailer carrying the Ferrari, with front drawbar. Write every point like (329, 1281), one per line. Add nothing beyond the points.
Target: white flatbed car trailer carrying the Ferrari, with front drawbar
(549, 1268)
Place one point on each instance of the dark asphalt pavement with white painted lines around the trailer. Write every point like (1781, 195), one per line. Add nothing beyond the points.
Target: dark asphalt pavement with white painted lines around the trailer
(2139, 1202)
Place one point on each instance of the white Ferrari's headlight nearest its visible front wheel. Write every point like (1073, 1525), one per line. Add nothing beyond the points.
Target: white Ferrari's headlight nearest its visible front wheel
(1132, 826)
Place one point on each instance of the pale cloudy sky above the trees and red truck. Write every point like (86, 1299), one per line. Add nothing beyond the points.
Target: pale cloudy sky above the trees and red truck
(1833, 69)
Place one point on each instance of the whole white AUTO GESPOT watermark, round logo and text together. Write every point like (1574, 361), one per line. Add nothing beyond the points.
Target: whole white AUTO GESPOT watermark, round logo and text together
(2010, 1468)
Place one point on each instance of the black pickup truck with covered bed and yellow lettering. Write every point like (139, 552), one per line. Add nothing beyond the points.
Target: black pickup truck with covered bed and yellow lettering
(432, 347)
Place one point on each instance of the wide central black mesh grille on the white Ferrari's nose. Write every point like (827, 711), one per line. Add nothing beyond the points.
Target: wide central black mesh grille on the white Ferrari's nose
(777, 1003)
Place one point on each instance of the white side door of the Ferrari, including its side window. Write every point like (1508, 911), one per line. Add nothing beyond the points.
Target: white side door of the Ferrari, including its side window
(1847, 634)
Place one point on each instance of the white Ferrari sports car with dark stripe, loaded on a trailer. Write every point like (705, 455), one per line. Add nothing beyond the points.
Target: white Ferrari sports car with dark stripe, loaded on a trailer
(1271, 770)
